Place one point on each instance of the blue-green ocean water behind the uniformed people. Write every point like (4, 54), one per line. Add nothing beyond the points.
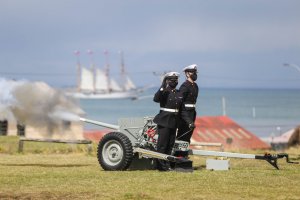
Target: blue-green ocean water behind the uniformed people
(264, 112)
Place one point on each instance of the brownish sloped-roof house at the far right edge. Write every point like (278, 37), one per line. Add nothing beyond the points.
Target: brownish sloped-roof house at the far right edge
(287, 139)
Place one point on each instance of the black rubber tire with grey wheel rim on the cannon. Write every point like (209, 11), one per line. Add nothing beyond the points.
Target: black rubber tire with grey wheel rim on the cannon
(123, 144)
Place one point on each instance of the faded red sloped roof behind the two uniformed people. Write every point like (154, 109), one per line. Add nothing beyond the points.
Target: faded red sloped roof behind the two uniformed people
(222, 129)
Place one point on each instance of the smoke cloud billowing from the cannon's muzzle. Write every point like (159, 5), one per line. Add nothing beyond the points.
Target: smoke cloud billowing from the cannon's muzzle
(35, 104)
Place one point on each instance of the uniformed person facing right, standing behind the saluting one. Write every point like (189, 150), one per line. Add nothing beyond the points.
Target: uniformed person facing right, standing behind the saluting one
(189, 91)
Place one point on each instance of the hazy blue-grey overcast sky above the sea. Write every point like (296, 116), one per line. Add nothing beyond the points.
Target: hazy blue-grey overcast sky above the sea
(236, 43)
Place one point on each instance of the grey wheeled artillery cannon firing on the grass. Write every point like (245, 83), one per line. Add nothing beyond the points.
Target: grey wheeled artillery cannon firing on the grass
(135, 139)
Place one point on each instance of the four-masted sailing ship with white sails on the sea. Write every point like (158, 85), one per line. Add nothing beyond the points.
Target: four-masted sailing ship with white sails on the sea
(96, 83)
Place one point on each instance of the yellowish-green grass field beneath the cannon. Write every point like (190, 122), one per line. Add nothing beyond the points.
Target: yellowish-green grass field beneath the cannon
(60, 171)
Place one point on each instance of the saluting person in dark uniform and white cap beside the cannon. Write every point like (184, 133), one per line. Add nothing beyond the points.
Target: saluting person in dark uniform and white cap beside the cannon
(167, 120)
